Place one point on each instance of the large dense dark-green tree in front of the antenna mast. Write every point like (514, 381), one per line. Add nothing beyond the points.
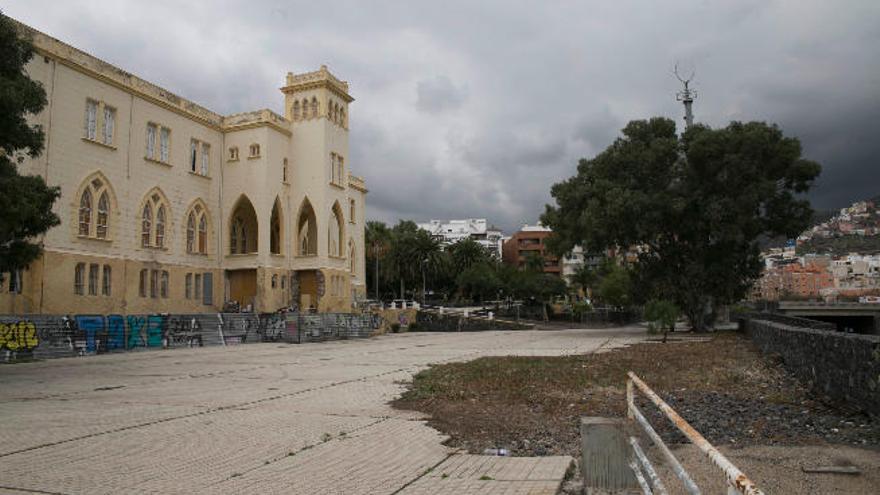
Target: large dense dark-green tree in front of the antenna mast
(696, 205)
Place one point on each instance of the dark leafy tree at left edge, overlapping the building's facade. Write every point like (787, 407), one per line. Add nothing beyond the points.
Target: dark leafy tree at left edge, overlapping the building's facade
(25, 200)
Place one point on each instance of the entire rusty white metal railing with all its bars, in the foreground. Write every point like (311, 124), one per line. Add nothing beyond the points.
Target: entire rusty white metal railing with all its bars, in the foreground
(737, 481)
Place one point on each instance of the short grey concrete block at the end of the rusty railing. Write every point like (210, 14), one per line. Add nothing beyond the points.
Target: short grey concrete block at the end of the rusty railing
(605, 456)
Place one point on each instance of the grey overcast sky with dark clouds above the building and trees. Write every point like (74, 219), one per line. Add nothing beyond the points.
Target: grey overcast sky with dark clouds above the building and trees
(475, 108)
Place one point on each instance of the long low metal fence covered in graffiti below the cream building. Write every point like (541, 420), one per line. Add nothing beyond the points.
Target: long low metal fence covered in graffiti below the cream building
(24, 337)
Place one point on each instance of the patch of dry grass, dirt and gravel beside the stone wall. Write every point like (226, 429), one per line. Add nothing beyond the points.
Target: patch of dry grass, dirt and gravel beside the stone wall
(721, 385)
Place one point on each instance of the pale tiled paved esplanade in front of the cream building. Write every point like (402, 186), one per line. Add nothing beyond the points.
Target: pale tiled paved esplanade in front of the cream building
(259, 418)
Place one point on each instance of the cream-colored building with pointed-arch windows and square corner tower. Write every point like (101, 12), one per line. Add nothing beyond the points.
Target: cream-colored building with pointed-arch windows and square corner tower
(167, 206)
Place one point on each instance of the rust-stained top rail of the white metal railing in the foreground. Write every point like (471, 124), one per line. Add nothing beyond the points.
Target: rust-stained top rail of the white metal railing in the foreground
(737, 481)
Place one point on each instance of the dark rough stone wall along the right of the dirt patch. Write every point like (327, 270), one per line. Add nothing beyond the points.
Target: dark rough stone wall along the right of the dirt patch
(843, 366)
